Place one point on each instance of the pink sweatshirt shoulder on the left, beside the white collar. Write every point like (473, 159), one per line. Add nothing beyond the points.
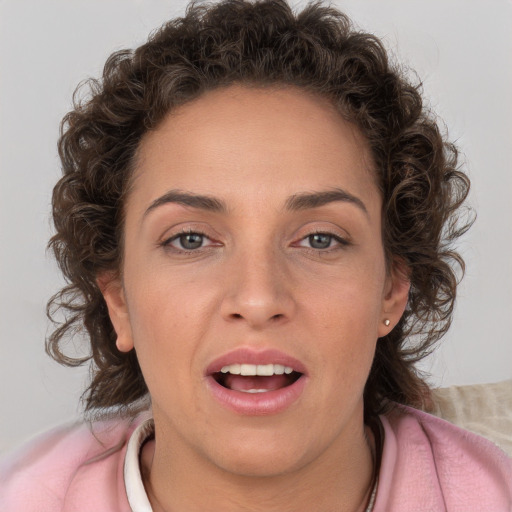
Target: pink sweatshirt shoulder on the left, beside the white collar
(57, 470)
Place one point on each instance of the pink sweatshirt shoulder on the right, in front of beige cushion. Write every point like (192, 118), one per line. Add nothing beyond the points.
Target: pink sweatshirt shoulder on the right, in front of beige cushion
(430, 461)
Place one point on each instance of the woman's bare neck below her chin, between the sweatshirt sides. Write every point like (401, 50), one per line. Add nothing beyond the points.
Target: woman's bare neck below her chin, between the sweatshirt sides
(341, 479)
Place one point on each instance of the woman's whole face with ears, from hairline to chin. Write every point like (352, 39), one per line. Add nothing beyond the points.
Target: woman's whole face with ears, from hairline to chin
(253, 244)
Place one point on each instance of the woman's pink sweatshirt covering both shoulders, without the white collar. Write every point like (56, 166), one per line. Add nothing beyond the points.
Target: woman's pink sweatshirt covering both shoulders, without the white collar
(428, 465)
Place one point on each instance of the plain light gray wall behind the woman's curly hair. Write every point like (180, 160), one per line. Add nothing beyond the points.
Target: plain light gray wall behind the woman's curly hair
(462, 50)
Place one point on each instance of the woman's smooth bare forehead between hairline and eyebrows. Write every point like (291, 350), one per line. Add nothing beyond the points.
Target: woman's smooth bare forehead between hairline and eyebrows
(246, 141)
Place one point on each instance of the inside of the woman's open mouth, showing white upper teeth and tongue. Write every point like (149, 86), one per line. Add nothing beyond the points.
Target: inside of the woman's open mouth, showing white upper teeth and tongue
(256, 378)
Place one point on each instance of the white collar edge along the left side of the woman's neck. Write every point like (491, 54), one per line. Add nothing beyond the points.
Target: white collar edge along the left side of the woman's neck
(137, 497)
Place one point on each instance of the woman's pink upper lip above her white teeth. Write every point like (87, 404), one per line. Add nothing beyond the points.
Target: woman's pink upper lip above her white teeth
(253, 356)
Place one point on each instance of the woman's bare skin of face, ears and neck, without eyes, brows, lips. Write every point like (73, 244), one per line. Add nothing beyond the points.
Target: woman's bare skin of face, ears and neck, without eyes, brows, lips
(257, 282)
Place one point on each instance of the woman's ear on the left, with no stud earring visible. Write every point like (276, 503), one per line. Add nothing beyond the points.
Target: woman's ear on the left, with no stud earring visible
(113, 292)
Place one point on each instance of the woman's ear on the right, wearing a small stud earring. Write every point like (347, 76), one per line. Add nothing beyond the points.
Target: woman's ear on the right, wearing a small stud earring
(396, 294)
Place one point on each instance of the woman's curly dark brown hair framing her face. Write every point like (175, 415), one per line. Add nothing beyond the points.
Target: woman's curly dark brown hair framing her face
(258, 44)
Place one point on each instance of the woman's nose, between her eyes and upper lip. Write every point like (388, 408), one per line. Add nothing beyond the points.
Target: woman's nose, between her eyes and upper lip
(258, 290)
